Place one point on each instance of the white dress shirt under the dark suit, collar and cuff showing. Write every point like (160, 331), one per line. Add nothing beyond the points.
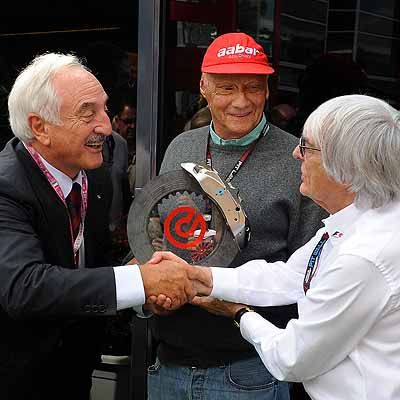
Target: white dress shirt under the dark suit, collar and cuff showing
(128, 279)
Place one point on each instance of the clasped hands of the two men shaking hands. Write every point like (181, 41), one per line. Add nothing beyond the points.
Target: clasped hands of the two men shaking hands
(170, 282)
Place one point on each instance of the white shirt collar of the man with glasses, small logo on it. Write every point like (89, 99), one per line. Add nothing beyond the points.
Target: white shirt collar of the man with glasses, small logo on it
(338, 224)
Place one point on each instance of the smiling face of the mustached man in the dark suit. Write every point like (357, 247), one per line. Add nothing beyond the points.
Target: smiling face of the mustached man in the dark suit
(76, 143)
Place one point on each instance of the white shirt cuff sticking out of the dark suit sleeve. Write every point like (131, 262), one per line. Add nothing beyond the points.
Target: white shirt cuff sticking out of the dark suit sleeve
(129, 287)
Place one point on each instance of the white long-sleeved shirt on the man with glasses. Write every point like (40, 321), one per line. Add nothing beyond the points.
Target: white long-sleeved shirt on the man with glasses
(345, 343)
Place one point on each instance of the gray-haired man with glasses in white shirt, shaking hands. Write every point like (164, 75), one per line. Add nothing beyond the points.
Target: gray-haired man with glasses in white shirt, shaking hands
(346, 280)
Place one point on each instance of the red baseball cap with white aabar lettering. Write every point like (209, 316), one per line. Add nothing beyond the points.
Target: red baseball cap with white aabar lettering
(236, 53)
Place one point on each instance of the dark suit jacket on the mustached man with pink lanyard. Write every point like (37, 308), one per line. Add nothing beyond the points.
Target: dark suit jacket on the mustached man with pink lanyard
(48, 327)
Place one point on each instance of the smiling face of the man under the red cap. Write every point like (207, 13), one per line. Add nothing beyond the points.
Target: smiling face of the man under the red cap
(236, 102)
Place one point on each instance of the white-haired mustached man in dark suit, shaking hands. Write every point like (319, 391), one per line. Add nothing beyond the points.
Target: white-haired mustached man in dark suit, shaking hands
(54, 206)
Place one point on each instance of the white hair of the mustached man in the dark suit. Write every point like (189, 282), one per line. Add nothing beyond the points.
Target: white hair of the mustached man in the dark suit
(33, 91)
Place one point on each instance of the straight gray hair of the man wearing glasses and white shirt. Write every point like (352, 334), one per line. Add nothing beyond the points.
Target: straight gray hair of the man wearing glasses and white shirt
(359, 138)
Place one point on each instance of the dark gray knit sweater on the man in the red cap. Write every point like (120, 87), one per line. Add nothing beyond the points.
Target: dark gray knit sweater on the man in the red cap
(281, 221)
